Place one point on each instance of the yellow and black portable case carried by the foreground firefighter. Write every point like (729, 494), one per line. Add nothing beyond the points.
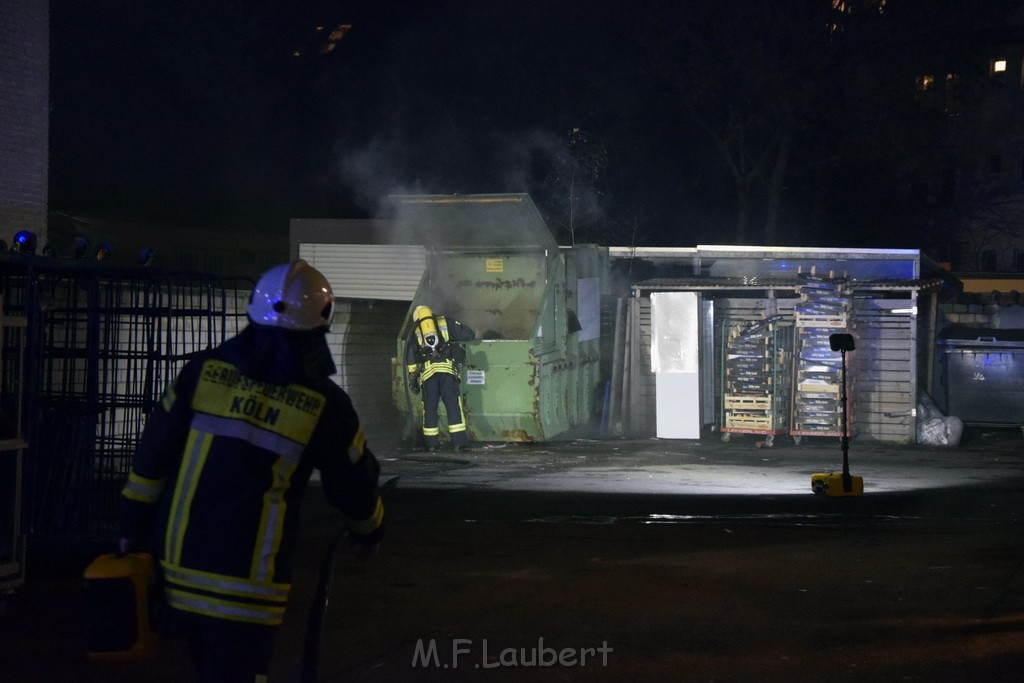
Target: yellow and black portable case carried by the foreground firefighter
(118, 608)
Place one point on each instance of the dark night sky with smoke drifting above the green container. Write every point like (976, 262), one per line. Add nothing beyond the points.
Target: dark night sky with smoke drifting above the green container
(202, 113)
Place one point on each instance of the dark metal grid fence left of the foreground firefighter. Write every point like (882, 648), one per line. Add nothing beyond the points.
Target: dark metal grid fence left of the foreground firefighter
(102, 347)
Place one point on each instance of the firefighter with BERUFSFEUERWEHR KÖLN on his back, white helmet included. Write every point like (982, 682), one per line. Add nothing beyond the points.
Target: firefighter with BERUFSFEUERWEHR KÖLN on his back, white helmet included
(218, 483)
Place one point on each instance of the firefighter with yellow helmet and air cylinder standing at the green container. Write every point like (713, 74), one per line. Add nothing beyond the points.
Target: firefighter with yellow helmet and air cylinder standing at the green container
(434, 358)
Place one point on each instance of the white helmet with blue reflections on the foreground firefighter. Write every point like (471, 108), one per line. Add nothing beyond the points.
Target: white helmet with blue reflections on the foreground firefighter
(293, 296)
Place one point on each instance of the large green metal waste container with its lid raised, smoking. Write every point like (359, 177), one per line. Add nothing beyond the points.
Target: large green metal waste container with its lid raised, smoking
(533, 372)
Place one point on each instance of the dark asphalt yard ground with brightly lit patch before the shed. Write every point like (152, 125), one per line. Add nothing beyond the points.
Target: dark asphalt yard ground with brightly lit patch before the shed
(646, 560)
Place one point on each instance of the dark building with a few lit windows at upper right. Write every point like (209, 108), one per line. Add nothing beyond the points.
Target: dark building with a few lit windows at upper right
(975, 190)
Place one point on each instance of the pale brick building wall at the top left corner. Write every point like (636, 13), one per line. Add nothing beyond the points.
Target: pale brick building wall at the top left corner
(25, 50)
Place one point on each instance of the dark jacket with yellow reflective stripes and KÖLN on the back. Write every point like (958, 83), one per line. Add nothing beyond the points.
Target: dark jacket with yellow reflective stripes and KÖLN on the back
(220, 478)
